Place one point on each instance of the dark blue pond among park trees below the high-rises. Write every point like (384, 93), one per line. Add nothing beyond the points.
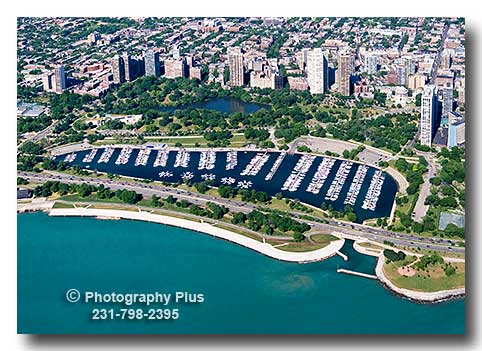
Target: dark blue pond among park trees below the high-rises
(225, 105)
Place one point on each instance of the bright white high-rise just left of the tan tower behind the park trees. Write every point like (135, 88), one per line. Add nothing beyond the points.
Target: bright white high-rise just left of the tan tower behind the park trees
(317, 71)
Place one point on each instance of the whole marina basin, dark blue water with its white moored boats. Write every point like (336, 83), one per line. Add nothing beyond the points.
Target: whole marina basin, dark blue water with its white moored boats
(234, 165)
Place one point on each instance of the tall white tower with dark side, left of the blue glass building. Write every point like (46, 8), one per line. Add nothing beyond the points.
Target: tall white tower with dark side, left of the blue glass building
(428, 115)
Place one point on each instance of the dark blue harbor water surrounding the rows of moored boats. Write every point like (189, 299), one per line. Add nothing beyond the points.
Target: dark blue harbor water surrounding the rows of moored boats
(272, 187)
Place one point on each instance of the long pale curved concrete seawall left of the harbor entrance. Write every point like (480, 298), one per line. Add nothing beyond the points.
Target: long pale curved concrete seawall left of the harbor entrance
(263, 248)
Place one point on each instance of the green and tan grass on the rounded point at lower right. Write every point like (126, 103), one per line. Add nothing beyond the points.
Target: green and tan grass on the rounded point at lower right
(430, 280)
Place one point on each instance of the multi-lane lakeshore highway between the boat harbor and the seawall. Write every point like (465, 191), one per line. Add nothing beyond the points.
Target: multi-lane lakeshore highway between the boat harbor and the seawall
(360, 230)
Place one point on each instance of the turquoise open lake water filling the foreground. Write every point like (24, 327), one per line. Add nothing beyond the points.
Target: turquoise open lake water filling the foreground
(244, 291)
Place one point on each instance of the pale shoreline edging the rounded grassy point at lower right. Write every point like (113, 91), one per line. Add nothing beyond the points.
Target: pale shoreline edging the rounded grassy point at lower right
(417, 296)
